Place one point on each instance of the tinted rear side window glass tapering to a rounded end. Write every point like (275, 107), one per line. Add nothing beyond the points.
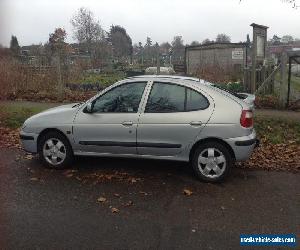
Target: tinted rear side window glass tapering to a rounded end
(167, 98)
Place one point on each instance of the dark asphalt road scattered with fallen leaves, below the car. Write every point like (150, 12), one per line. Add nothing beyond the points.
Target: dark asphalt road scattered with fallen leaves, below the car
(47, 209)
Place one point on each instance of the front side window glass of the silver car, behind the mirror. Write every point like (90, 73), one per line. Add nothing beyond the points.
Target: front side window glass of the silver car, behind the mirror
(122, 99)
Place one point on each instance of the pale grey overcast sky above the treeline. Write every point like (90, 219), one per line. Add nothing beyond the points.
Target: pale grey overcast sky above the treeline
(32, 20)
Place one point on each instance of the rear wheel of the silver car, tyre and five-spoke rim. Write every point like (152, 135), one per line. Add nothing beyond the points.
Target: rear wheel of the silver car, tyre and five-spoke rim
(212, 162)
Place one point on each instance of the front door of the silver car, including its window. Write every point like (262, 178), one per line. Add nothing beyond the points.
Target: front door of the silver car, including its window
(111, 126)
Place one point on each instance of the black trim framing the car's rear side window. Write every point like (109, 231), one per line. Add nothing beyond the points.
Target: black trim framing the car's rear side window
(185, 98)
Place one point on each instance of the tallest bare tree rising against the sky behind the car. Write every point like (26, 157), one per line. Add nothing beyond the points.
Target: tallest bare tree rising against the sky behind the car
(86, 28)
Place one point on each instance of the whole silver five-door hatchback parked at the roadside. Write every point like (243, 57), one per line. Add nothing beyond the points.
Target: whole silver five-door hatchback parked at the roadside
(158, 117)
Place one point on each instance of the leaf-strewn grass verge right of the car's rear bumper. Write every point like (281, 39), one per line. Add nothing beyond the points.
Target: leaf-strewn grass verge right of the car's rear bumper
(277, 130)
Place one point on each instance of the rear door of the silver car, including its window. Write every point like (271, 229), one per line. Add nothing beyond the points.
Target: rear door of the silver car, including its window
(173, 116)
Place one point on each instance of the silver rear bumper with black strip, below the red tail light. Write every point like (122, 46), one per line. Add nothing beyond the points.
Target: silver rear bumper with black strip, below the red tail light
(243, 146)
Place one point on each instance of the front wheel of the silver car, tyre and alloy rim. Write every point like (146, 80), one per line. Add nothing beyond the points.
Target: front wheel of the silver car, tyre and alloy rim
(55, 150)
